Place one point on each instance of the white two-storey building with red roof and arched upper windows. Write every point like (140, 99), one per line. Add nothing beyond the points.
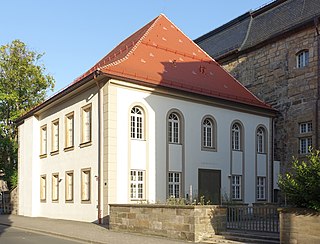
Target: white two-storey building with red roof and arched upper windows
(156, 117)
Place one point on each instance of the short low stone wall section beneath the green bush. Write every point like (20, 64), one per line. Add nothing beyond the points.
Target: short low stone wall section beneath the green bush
(299, 226)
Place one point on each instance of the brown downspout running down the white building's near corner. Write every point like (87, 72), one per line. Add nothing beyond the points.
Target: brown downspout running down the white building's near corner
(95, 76)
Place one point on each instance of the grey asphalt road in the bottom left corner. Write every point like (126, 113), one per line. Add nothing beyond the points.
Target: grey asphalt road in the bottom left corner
(11, 235)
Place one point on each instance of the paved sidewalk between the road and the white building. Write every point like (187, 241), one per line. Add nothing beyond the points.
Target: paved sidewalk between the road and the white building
(81, 231)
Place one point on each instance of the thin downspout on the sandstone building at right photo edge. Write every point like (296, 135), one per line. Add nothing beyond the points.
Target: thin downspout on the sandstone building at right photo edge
(316, 23)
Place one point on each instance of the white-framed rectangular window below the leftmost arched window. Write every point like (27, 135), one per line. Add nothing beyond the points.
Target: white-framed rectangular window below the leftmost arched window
(136, 184)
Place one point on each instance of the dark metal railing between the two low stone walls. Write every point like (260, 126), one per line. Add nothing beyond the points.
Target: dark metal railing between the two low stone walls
(262, 218)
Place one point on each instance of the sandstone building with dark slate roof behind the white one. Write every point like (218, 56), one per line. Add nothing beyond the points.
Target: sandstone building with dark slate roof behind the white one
(274, 52)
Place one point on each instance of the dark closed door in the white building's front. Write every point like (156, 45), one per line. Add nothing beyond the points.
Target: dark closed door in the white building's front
(209, 182)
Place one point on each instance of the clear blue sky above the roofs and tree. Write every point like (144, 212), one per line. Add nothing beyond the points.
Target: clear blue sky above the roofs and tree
(75, 34)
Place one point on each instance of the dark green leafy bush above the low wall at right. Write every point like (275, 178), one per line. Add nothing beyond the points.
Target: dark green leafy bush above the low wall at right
(301, 185)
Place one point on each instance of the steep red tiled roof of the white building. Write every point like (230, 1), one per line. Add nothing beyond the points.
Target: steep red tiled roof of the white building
(160, 54)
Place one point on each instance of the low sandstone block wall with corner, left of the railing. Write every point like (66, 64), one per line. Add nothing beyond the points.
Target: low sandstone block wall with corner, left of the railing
(192, 223)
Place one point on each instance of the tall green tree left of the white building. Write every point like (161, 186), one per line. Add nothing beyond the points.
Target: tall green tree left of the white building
(23, 85)
